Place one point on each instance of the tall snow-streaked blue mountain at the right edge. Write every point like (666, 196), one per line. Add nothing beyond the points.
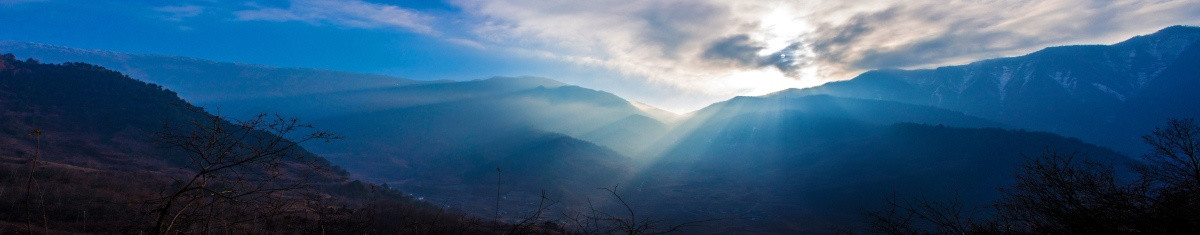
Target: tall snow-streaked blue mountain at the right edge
(1108, 95)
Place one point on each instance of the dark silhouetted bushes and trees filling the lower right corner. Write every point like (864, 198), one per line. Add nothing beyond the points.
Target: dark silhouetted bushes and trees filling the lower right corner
(1067, 194)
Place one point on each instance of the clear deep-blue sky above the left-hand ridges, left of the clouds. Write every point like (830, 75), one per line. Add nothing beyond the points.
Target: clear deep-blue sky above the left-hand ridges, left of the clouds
(141, 27)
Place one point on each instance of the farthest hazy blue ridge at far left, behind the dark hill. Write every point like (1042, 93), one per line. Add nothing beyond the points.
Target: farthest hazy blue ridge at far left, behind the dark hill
(203, 82)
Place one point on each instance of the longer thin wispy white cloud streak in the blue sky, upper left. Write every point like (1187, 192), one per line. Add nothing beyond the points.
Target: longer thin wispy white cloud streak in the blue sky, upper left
(353, 14)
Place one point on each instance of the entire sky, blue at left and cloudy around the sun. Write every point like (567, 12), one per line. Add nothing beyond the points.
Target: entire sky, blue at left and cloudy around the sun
(675, 55)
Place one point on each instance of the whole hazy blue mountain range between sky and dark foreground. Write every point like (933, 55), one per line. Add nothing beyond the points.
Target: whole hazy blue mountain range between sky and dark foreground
(796, 161)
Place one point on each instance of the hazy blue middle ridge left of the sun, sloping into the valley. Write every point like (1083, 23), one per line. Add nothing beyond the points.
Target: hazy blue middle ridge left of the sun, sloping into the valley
(537, 104)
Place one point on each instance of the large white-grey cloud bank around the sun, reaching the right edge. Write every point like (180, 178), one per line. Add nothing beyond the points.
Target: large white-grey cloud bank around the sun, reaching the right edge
(709, 45)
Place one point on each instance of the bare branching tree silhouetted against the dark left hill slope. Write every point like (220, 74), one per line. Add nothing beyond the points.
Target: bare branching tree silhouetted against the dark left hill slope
(238, 173)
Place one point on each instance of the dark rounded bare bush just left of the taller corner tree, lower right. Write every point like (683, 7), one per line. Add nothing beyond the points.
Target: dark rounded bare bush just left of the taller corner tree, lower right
(1061, 194)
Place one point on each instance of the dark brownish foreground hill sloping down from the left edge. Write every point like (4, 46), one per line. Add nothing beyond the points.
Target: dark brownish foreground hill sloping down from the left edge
(99, 166)
